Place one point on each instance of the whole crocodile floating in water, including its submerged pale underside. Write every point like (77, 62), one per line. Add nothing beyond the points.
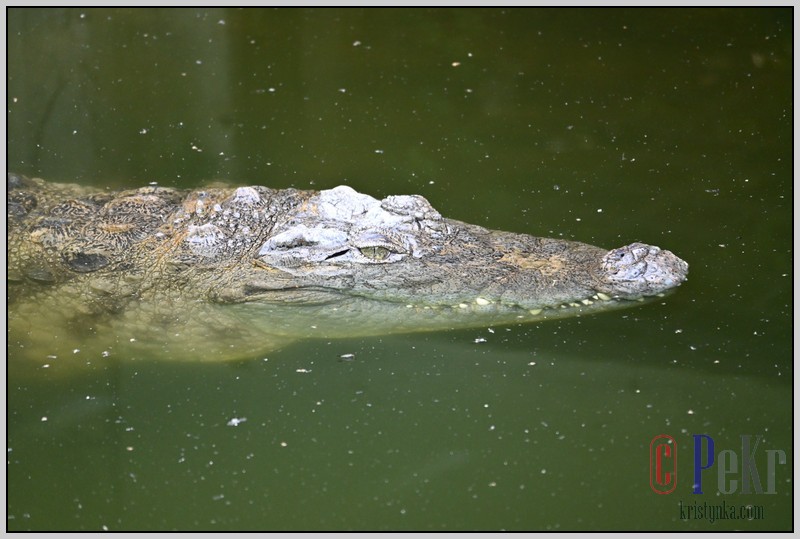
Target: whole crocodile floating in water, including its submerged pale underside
(228, 272)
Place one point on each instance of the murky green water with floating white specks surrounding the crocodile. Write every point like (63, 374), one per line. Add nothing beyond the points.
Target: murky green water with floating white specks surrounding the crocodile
(672, 127)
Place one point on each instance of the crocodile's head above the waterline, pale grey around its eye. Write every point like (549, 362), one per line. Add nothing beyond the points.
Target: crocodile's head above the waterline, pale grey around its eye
(343, 244)
